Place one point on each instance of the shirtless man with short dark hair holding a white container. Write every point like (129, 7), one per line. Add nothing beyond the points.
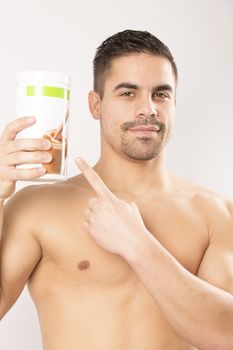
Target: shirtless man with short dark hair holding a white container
(123, 256)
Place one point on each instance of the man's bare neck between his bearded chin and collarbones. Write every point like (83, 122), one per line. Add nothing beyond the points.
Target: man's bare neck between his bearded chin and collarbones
(137, 178)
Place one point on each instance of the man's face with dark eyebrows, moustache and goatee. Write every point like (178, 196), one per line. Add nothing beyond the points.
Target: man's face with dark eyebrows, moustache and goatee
(138, 106)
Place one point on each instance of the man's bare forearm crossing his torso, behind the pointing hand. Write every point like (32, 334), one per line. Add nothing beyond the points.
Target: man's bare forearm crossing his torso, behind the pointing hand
(200, 313)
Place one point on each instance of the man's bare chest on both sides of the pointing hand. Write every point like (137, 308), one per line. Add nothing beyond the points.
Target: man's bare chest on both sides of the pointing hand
(72, 257)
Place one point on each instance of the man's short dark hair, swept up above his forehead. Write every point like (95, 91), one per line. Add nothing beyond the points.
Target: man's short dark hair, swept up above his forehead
(126, 43)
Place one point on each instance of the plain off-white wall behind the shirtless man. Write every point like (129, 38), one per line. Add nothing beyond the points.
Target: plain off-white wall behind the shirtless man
(63, 35)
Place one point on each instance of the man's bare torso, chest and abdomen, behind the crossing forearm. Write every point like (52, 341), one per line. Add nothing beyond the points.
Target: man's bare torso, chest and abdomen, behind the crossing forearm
(90, 299)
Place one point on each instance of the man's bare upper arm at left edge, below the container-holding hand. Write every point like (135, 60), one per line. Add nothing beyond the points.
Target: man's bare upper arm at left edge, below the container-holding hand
(20, 251)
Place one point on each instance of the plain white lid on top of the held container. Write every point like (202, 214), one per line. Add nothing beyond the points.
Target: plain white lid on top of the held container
(43, 76)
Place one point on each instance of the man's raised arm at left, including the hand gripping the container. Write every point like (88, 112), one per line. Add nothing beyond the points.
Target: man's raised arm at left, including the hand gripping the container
(19, 249)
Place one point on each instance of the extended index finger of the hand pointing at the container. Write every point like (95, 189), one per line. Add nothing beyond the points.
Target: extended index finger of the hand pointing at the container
(94, 179)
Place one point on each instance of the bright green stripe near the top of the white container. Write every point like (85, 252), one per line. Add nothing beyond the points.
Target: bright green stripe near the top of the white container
(50, 91)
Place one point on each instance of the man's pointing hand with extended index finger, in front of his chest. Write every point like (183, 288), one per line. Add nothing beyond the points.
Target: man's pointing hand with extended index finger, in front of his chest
(115, 224)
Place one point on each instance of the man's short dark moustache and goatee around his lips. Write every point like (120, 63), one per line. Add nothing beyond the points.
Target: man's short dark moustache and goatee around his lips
(143, 148)
